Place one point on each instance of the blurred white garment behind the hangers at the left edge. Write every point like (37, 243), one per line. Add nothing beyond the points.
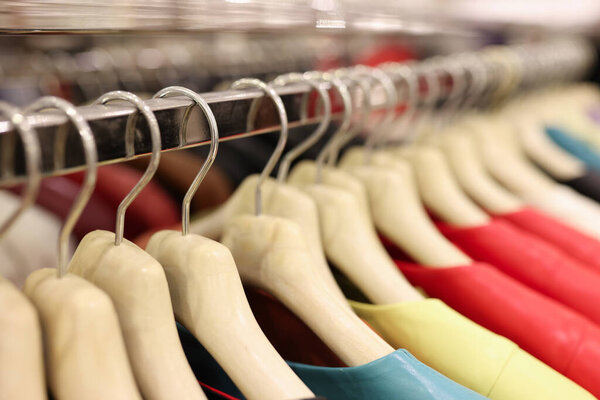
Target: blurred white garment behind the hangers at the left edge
(31, 242)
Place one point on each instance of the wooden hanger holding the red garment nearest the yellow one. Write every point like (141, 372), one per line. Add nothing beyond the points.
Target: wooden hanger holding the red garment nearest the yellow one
(394, 200)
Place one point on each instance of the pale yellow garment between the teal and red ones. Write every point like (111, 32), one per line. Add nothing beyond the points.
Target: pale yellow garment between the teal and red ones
(467, 353)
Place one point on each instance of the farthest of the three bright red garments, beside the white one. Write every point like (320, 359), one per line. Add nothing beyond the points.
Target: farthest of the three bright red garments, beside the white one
(575, 243)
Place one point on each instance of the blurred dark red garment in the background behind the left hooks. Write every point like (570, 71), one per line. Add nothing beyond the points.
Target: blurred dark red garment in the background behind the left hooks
(151, 209)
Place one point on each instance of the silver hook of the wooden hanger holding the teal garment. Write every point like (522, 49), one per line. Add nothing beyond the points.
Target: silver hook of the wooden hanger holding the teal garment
(272, 94)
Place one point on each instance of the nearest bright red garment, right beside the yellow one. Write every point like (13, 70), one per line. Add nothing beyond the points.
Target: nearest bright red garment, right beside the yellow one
(561, 338)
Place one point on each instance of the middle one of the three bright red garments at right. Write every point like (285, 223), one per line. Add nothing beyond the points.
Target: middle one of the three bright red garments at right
(531, 261)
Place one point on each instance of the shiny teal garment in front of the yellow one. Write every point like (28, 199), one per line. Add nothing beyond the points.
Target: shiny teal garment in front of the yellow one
(397, 376)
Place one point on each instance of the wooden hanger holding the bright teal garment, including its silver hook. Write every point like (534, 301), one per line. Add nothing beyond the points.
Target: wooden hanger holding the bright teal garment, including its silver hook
(271, 253)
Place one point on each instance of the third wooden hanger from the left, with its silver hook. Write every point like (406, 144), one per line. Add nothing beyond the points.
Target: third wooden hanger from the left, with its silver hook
(137, 285)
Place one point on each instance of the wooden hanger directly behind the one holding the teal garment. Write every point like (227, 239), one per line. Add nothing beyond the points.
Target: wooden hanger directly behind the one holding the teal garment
(280, 199)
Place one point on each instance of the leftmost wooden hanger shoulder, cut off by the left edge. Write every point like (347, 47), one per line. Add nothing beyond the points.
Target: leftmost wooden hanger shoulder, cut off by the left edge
(21, 358)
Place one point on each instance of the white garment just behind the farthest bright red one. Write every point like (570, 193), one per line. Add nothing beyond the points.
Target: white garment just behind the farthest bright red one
(567, 205)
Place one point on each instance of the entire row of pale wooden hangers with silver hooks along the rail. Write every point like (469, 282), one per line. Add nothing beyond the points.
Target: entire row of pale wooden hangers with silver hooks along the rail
(107, 316)
